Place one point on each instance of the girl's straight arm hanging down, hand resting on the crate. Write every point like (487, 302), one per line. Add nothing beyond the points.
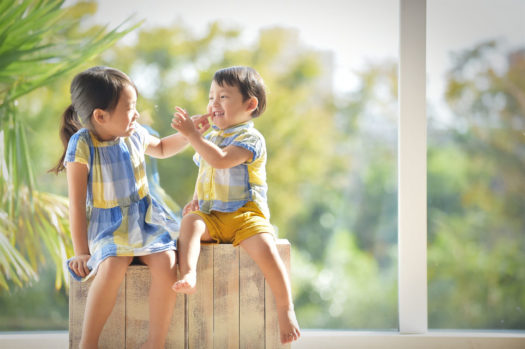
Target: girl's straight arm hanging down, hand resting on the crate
(77, 174)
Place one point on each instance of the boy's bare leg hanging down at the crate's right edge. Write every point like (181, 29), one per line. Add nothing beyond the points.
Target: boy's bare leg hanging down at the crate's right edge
(262, 249)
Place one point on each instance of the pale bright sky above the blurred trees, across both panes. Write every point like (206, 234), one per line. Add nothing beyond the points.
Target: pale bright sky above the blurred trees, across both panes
(356, 31)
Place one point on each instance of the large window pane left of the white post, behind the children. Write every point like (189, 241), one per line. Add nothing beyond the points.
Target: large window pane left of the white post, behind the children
(330, 129)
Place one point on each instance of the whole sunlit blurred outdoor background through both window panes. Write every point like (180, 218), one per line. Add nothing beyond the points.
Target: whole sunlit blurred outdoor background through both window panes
(331, 132)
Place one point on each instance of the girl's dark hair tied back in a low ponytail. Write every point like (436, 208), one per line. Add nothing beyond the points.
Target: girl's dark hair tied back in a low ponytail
(94, 88)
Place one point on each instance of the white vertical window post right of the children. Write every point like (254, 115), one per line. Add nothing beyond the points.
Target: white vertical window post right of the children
(412, 169)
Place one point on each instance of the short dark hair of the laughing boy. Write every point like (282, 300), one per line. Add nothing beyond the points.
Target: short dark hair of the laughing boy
(248, 81)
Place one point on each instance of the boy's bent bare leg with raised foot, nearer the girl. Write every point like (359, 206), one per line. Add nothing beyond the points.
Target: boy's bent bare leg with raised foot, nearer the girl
(192, 231)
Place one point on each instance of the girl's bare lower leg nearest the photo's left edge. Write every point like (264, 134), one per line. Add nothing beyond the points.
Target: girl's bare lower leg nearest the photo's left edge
(101, 298)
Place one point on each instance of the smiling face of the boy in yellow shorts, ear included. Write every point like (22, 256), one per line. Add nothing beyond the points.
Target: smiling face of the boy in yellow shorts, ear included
(226, 106)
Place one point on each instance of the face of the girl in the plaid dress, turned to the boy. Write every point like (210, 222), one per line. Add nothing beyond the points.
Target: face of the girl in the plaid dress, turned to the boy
(121, 121)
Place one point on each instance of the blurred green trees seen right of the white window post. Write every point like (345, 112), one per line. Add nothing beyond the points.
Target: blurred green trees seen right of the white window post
(477, 195)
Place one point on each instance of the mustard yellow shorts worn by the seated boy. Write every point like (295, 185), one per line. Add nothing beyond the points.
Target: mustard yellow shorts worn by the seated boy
(234, 227)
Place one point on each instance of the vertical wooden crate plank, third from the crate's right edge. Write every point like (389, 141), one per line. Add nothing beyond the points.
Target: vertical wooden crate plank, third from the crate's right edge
(225, 296)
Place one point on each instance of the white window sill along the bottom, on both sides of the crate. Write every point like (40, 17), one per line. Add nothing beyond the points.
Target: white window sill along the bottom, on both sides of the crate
(326, 339)
